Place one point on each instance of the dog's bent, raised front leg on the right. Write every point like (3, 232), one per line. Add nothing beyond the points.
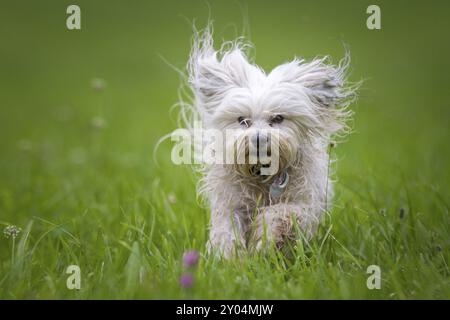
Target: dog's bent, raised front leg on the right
(275, 223)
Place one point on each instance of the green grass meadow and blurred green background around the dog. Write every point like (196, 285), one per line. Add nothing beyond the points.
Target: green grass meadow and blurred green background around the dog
(95, 198)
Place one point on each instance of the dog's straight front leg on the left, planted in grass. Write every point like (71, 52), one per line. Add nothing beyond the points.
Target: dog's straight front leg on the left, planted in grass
(227, 233)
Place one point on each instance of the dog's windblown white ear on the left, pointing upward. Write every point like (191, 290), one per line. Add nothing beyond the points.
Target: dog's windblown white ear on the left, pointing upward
(213, 74)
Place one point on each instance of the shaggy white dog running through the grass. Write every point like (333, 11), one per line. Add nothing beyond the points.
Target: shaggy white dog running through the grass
(306, 102)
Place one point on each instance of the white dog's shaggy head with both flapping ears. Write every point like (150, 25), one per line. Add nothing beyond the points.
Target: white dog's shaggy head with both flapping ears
(275, 115)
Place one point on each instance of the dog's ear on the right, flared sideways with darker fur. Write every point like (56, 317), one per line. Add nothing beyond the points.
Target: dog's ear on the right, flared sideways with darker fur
(325, 87)
